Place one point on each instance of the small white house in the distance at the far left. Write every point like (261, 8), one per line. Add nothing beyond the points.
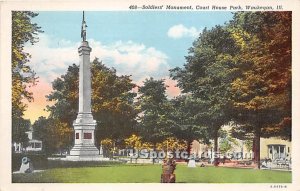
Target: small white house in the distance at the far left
(33, 144)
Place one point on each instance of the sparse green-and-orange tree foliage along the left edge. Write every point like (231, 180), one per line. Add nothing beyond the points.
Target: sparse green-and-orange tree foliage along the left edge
(23, 31)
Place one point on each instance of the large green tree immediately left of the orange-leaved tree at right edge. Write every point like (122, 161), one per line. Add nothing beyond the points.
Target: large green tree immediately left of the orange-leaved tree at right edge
(207, 76)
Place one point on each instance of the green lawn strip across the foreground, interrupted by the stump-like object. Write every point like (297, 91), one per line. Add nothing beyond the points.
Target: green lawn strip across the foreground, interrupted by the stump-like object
(151, 174)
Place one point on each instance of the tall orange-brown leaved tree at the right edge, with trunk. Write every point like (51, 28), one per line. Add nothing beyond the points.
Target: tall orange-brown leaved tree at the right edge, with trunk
(262, 90)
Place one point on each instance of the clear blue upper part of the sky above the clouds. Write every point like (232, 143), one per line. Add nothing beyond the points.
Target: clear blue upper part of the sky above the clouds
(148, 28)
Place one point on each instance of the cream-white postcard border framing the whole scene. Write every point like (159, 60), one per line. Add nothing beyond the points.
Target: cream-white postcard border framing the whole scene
(123, 5)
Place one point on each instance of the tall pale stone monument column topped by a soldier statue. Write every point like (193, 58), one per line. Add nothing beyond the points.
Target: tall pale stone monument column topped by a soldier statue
(84, 125)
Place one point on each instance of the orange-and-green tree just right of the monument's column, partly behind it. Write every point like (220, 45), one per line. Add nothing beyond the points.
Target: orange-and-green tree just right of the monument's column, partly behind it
(113, 103)
